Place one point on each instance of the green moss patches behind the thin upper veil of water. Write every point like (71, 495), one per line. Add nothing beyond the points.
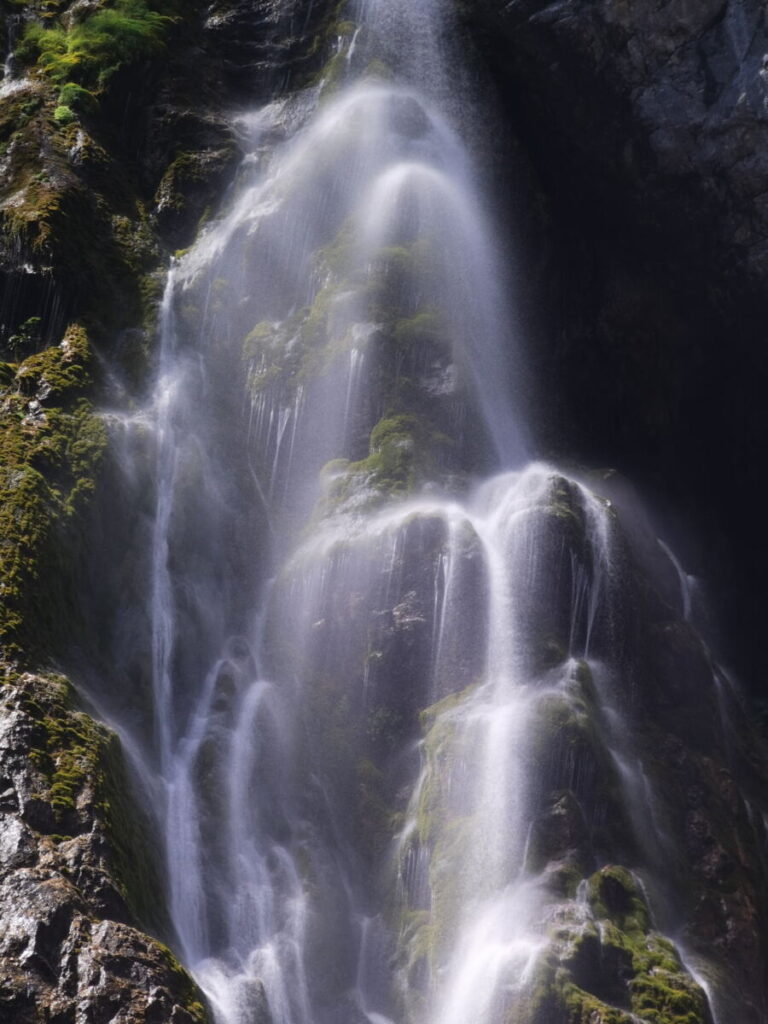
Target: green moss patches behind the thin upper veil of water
(406, 446)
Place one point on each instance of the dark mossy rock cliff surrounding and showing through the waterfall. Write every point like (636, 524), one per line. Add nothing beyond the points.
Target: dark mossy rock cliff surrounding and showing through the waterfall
(643, 130)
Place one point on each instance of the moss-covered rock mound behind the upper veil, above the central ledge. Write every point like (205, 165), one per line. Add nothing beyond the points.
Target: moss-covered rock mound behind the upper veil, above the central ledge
(372, 332)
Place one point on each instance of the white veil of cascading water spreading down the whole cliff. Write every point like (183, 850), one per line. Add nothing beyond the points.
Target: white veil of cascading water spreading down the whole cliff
(369, 672)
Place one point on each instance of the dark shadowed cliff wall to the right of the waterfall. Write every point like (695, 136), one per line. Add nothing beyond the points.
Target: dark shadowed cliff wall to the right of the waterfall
(647, 127)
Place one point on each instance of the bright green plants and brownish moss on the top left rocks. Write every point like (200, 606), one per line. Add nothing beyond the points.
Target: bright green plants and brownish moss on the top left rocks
(76, 217)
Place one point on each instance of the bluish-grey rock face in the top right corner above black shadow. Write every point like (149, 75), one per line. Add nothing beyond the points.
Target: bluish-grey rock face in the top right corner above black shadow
(686, 106)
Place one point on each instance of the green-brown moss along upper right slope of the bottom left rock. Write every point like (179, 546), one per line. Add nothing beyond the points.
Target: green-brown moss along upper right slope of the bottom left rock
(76, 770)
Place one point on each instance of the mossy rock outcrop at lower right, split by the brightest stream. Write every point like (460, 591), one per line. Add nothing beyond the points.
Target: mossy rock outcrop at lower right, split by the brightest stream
(628, 761)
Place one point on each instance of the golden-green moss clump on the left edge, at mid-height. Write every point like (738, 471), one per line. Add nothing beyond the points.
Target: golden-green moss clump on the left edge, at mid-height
(52, 447)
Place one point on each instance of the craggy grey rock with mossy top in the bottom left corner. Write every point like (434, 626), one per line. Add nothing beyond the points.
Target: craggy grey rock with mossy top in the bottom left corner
(72, 878)
